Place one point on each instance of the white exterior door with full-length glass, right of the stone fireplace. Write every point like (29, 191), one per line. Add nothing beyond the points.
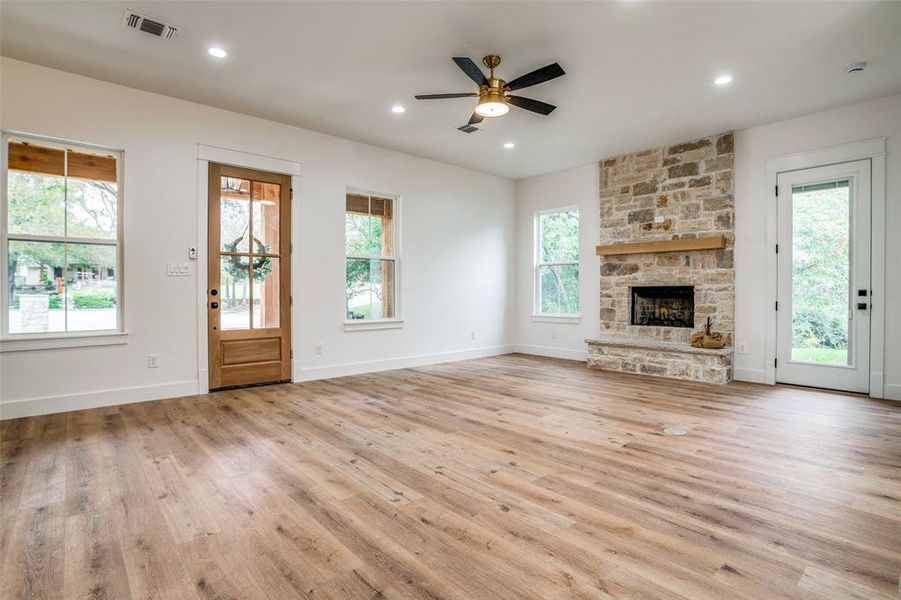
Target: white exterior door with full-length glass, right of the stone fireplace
(823, 304)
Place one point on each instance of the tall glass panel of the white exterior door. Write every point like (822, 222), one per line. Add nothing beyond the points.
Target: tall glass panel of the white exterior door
(821, 272)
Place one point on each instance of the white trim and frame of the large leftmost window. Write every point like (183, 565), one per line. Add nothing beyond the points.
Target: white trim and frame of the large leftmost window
(62, 339)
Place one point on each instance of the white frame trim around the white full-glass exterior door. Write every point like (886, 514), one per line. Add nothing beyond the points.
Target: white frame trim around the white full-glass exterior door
(873, 150)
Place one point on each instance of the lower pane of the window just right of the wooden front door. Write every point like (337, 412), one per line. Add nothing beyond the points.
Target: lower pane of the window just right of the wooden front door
(370, 288)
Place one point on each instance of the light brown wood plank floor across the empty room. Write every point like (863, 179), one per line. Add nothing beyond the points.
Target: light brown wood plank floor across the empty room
(507, 477)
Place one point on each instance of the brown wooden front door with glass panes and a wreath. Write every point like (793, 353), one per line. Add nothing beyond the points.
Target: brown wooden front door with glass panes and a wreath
(248, 296)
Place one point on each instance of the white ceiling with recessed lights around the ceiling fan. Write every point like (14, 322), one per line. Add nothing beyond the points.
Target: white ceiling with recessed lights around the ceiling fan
(639, 73)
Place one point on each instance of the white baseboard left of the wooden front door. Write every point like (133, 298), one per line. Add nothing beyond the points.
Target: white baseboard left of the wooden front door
(30, 407)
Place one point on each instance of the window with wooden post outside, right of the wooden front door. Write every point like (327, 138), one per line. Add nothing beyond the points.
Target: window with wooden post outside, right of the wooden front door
(370, 229)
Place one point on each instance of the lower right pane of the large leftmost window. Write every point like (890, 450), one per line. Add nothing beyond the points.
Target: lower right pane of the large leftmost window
(91, 293)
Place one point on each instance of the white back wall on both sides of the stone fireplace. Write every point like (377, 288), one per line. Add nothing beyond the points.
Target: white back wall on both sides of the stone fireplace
(879, 118)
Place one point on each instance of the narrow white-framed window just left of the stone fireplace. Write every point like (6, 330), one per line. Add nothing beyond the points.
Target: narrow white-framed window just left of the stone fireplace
(557, 263)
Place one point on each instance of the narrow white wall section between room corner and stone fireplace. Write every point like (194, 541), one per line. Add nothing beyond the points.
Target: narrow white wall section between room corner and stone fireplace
(579, 187)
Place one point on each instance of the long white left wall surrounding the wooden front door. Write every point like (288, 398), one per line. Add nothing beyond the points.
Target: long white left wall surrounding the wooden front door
(457, 263)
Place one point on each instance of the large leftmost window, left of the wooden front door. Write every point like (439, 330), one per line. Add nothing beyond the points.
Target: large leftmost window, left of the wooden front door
(61, 238)
